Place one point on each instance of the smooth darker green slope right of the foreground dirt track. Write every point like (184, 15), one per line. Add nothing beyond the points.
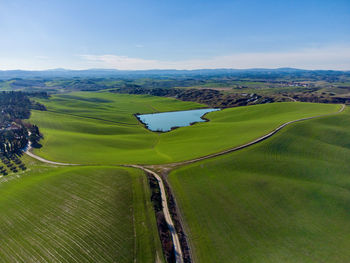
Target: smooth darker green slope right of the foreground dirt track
(286, 199)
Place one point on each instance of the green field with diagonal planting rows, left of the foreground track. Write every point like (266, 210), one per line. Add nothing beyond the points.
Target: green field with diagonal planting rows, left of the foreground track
(77, 214)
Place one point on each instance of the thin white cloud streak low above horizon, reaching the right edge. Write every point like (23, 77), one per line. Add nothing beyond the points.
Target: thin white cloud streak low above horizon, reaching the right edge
(334, 57)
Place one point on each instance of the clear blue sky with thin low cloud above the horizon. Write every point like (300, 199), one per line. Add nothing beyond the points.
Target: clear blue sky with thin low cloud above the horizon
(168, 34)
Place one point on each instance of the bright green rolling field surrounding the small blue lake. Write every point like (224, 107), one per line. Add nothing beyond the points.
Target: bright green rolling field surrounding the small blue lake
(100, 128)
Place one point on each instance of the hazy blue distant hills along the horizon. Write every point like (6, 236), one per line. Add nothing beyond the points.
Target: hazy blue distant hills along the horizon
(66, 73)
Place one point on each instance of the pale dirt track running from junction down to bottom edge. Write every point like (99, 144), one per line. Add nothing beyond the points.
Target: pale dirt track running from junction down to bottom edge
(166, 211)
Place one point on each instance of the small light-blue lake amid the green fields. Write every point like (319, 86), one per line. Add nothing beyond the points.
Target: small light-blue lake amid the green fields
(164, 121)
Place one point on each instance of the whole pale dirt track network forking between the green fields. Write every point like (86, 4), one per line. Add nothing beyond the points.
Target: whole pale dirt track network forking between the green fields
(168, 167)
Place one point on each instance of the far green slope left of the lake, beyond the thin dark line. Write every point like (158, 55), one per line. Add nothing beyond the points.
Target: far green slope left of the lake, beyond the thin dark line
(114, 107)
